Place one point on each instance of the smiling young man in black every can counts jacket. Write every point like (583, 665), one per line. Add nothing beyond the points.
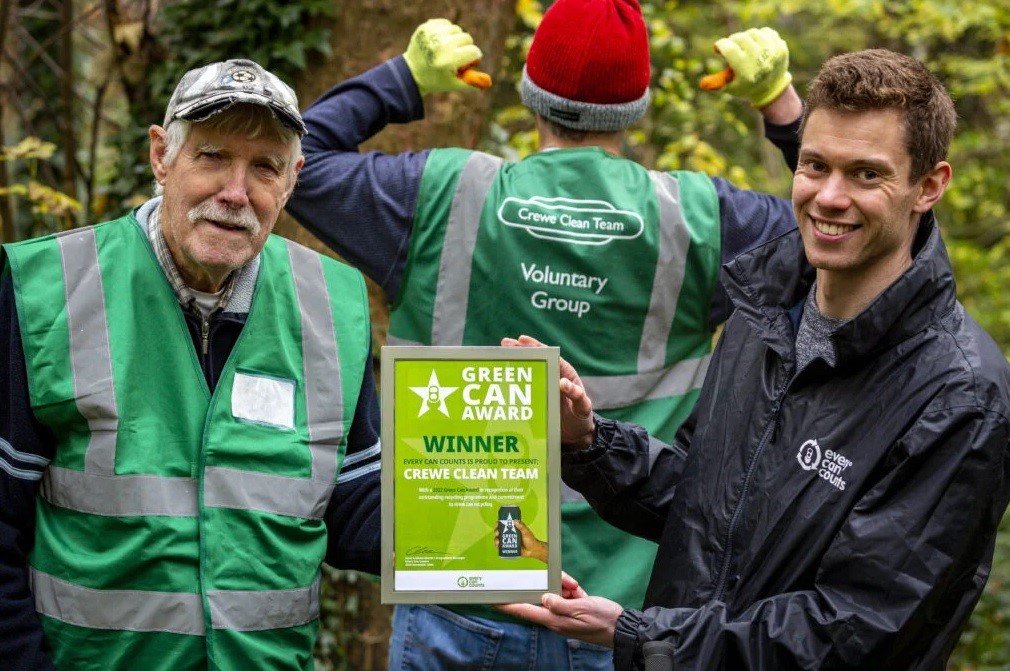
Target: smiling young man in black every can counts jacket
(833, 502)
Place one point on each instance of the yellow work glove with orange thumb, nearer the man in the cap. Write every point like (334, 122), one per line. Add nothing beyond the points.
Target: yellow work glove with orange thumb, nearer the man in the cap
(441, 58)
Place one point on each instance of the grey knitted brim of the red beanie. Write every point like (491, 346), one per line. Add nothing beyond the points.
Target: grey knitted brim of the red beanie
(596, 118)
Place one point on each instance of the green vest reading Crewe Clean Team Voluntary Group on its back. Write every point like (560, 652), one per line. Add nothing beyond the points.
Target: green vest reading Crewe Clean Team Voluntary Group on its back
(615, 263)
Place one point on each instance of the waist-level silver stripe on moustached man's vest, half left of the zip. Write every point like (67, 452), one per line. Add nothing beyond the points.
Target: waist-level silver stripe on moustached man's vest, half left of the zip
(121, 496)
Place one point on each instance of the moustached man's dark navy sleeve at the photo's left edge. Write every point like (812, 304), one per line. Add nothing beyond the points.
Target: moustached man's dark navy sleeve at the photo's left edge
(26, 449)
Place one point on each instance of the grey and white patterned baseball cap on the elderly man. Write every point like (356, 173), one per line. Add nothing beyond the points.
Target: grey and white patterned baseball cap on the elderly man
(206, 91)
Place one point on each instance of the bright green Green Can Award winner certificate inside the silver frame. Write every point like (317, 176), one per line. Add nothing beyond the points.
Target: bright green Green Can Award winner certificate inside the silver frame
(471, 460)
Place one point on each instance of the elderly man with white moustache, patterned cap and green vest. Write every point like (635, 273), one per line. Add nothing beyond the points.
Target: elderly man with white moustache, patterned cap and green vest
(190, 425)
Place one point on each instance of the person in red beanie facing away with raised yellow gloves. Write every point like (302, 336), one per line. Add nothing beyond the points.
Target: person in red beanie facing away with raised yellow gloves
(470, 249)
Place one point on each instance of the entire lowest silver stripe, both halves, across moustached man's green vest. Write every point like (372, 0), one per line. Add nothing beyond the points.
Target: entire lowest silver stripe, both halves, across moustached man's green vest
(140, 611)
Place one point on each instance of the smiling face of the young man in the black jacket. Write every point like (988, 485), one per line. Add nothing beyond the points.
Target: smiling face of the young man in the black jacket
(858, 212)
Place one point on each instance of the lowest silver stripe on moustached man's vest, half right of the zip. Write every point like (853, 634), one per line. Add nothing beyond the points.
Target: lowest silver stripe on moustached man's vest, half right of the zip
(258, 611)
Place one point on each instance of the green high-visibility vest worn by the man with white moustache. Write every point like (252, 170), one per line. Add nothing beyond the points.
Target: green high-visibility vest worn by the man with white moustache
(178, 529)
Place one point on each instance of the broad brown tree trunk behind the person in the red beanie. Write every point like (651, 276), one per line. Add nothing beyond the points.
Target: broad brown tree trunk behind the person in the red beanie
(364, 35)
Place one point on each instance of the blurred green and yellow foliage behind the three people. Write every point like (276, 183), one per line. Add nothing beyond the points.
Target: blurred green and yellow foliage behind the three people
(967, 43)
